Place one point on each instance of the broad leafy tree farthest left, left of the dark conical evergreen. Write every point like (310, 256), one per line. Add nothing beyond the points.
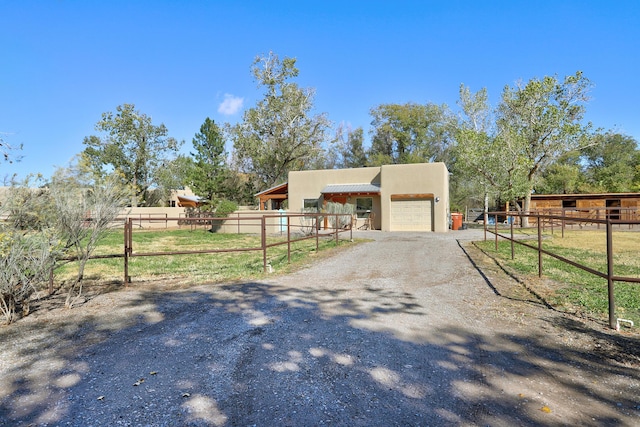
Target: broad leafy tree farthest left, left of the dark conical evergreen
(132, 146)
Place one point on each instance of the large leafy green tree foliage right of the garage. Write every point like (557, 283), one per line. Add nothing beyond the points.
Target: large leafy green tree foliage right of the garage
(533, 127)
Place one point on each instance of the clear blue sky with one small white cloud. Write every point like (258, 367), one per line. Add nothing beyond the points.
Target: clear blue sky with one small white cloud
(64, 63)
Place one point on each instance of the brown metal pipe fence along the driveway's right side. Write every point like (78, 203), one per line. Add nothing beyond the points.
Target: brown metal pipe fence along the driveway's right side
(542, 219)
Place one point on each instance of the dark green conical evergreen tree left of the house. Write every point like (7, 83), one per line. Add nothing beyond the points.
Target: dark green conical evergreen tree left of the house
(210, 168)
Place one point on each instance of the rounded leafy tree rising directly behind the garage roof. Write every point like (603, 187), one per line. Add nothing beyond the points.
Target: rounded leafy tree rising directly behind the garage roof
(409, 133)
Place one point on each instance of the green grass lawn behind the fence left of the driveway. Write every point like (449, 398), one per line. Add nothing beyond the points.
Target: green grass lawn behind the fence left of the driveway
(194, 268)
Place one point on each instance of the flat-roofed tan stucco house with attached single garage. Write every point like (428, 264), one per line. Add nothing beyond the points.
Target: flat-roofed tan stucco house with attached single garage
(411, 197)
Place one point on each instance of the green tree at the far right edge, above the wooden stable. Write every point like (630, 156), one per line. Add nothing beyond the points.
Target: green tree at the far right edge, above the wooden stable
(612, 163)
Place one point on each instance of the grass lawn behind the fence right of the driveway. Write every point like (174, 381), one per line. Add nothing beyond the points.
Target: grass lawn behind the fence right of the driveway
(573, 289)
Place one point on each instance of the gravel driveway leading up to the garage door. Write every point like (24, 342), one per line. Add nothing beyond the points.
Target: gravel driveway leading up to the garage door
(403, 330)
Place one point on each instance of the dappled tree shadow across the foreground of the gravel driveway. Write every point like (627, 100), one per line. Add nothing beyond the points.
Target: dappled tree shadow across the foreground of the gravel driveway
(262, 354)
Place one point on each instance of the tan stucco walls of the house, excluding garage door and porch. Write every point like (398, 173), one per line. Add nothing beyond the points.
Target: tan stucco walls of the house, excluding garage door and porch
(394, 179)
